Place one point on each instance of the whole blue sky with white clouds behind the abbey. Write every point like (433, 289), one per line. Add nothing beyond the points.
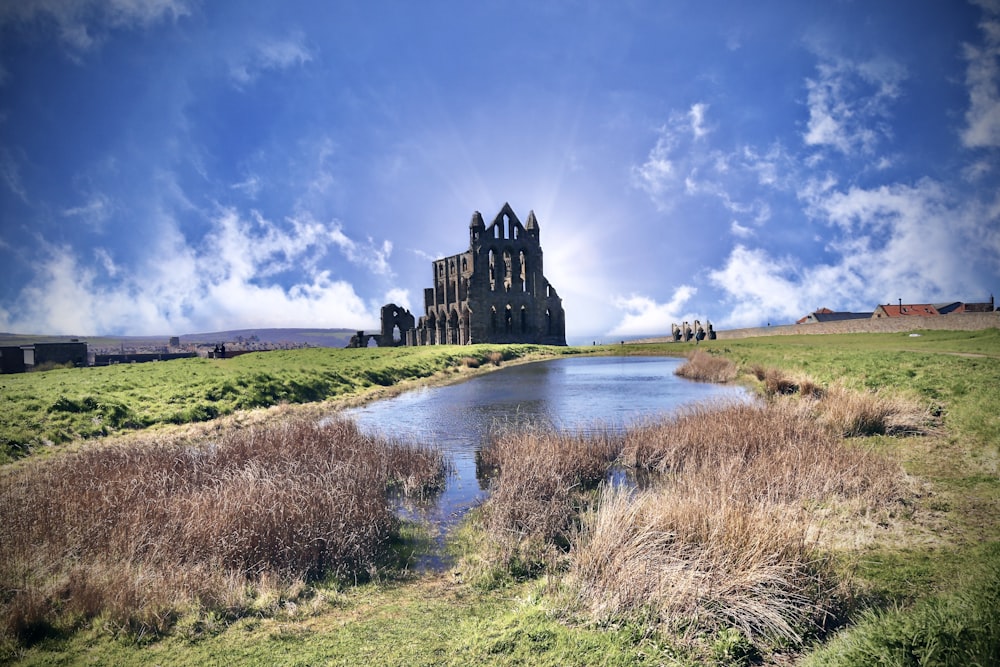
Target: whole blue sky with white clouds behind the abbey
(176, 166)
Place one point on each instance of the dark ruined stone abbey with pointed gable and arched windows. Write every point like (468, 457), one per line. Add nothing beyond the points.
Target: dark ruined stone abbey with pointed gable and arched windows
(494, 292)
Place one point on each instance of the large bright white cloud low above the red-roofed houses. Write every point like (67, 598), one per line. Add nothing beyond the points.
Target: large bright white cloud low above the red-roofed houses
(918, 243)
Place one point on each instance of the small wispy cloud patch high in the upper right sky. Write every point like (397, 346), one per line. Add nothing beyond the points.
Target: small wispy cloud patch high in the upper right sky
(849, 103)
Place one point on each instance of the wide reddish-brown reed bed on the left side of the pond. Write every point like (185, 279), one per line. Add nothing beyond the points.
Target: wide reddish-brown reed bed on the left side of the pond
(136, 533)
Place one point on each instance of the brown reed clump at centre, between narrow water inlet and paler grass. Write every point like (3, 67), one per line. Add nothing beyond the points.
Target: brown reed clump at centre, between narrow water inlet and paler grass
(537, 477)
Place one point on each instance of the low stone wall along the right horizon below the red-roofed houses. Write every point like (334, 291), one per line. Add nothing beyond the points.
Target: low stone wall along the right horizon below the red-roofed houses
(951, 322)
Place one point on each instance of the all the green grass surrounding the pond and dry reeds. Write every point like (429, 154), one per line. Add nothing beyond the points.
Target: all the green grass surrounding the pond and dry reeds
(923, 581)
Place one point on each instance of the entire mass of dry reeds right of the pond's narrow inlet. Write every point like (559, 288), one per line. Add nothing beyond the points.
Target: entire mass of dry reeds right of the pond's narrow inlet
(720, 539)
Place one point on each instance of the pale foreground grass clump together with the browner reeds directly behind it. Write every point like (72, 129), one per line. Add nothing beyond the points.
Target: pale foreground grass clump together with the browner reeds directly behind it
(723, 540)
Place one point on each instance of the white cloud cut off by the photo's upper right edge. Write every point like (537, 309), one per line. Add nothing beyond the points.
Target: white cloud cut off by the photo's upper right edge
(983, 81)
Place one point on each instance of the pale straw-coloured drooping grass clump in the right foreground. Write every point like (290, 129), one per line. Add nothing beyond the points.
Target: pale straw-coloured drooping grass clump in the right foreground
(693, 560)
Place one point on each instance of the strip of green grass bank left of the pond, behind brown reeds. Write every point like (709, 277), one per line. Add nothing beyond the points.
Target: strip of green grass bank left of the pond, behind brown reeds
(57, 406)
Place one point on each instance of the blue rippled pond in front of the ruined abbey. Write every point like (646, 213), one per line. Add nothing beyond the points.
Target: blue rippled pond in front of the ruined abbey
(572, 393)
